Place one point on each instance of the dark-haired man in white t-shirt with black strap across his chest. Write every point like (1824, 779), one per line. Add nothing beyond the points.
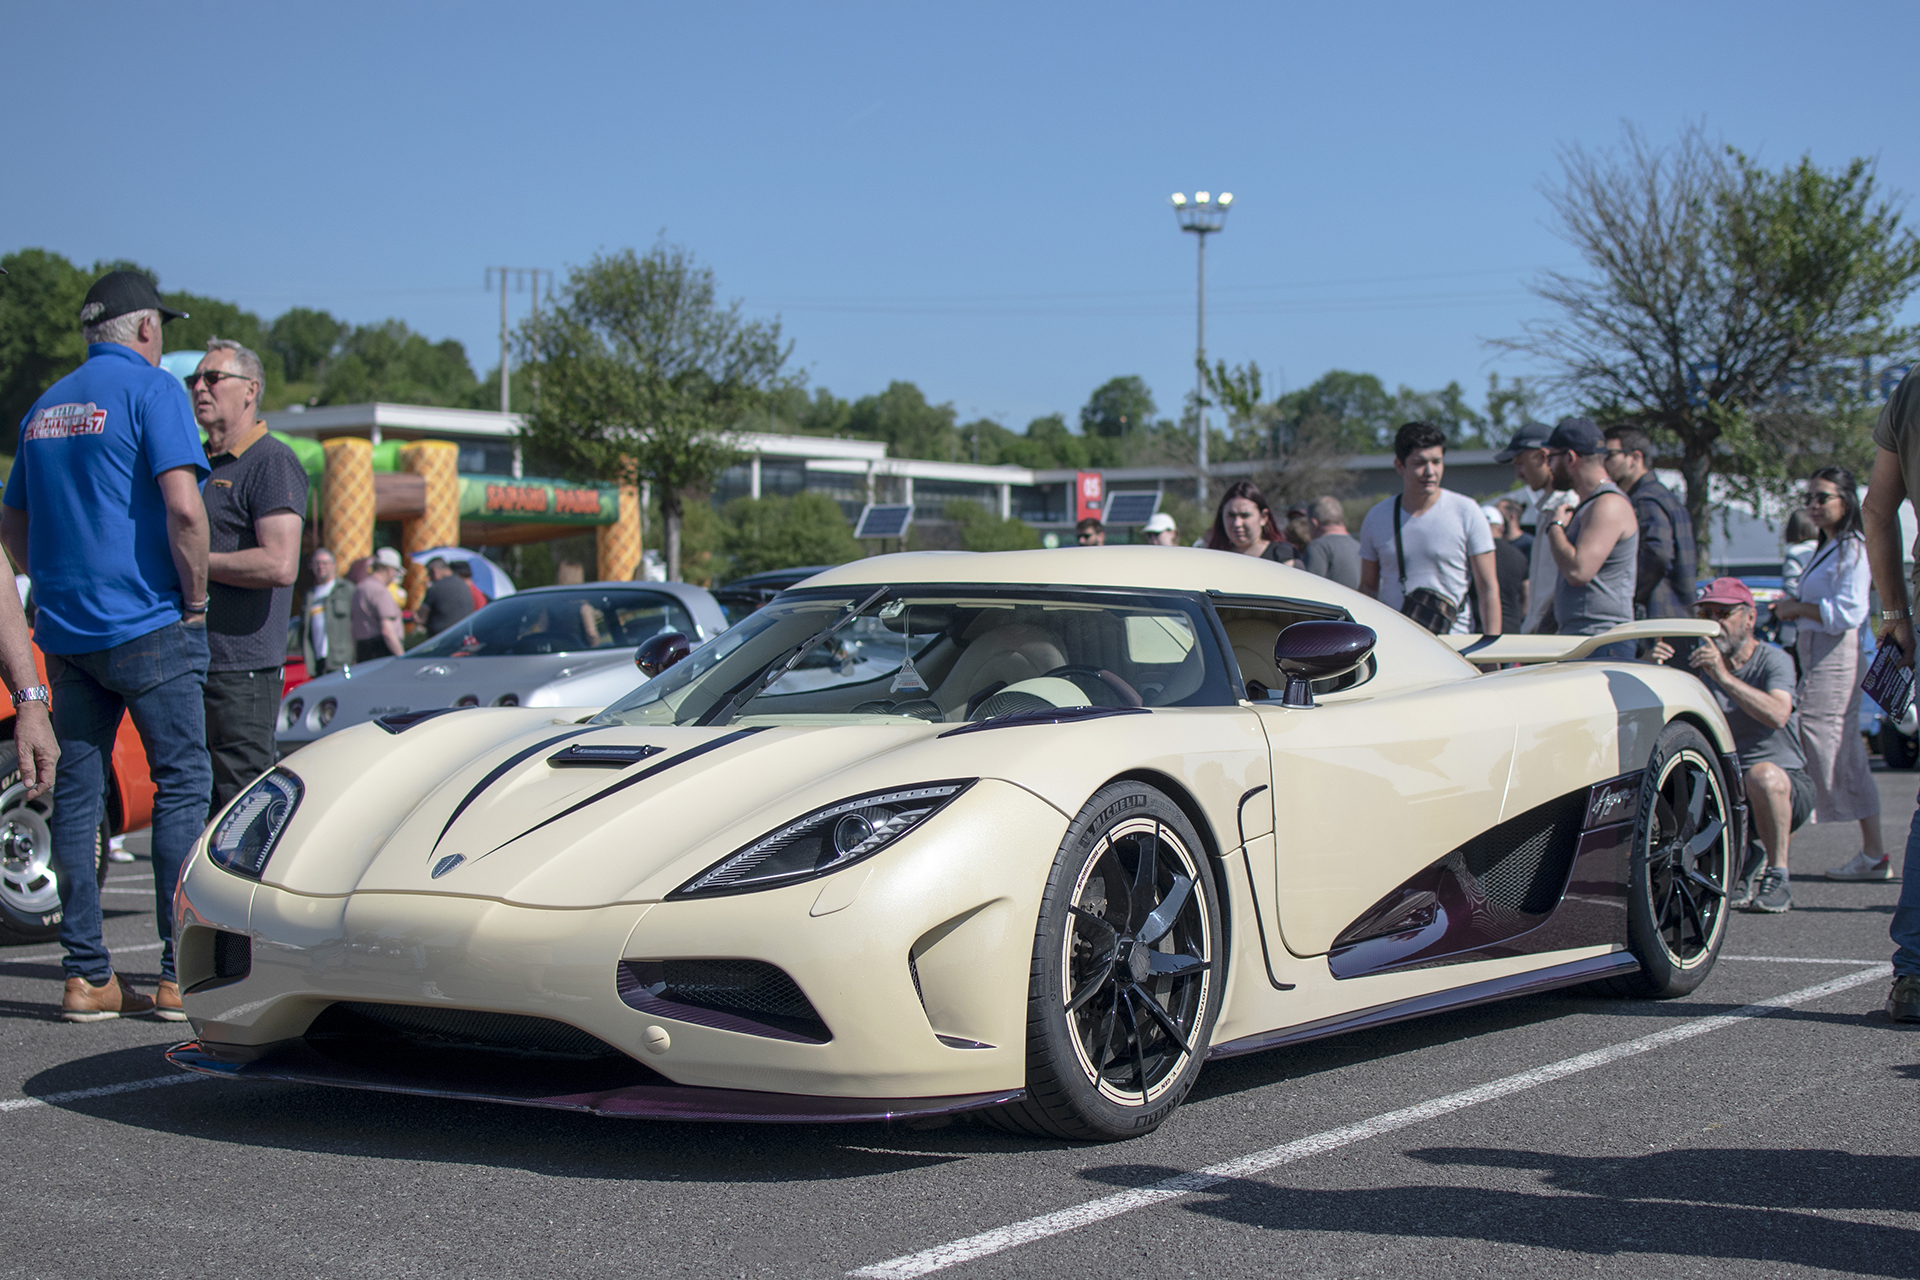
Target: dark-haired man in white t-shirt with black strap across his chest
(1449, 542)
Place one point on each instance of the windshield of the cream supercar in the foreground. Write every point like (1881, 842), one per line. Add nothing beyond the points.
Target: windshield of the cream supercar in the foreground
(944, 655)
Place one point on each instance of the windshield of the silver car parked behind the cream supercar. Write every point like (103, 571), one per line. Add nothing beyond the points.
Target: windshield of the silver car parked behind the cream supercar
(560, 623)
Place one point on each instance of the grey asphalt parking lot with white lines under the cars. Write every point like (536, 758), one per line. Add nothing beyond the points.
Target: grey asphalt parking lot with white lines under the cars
(1764, 1127)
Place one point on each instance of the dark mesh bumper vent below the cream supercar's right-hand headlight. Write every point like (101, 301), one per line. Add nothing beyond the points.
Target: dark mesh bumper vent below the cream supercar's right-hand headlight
(732, 995)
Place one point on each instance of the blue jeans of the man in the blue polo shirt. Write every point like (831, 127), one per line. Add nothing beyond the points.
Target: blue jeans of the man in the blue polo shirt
(160, 682)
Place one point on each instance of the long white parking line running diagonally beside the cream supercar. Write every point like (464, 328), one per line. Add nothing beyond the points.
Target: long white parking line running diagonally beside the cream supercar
(1184, 1185)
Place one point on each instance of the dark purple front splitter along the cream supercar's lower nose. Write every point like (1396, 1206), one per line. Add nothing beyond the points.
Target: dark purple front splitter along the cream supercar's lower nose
(562, 1089)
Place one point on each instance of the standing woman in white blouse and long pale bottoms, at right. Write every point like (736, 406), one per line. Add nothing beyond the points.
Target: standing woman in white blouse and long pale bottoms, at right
(1831, 609)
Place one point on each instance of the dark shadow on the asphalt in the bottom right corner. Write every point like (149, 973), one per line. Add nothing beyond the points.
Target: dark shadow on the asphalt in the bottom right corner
(1708, 1204)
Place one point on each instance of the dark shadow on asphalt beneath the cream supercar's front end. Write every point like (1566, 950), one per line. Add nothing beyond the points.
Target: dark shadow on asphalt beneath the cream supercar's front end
(364, 1124)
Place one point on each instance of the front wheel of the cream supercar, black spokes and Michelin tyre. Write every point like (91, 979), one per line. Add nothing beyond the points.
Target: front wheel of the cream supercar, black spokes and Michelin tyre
(1126, 984)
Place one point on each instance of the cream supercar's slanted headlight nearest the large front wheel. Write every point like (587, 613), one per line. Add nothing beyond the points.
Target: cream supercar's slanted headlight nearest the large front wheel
(825, 841)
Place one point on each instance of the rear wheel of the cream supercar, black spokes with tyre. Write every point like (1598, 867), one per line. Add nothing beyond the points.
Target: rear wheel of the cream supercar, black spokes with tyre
(1683, 868)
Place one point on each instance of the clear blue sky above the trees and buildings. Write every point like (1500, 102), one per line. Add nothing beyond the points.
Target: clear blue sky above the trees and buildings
(972, 199)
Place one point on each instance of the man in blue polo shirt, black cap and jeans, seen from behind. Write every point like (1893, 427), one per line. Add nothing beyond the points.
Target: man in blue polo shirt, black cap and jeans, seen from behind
(103, 510)
